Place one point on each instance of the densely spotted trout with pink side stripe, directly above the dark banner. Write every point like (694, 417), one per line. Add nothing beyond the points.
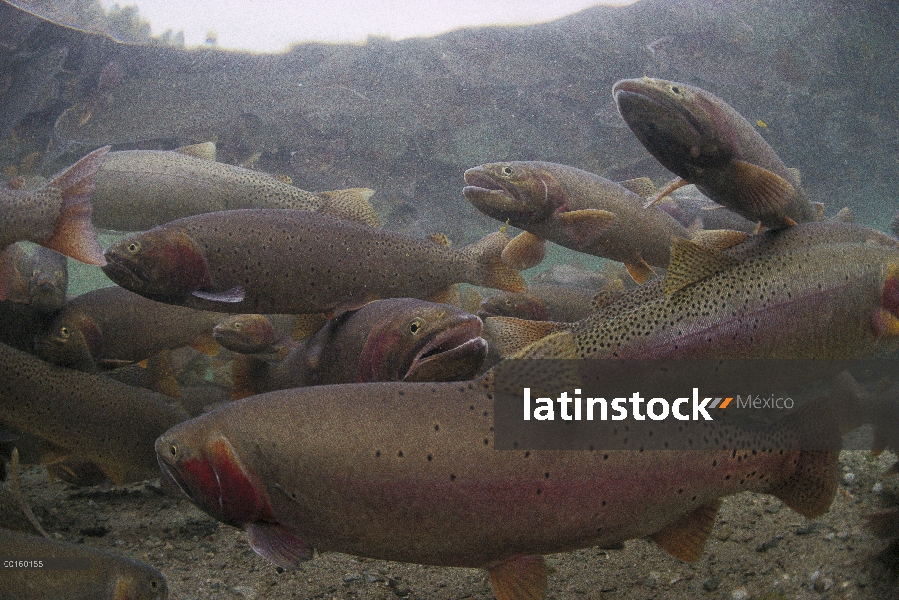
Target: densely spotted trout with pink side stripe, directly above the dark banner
(760, 298)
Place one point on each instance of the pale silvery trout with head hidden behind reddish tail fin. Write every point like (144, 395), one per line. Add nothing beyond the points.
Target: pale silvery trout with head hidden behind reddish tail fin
(140, 189)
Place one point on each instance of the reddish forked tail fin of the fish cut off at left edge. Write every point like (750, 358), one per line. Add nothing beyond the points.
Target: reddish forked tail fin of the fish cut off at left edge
(73, 235)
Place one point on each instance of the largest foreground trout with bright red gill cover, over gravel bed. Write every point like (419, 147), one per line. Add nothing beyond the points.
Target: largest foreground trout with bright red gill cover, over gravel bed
(408, 472)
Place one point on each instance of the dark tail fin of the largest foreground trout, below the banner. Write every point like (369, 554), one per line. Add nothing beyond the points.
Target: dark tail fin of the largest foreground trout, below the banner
(810, 487)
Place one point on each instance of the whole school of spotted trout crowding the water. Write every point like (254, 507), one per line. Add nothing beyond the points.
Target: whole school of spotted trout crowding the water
(348, 388)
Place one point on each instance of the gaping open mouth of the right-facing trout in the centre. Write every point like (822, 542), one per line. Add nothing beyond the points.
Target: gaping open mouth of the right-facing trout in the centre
(453, 354)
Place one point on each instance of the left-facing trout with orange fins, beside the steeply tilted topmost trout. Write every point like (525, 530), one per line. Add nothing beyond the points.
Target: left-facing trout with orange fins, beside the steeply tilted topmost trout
(575, 209)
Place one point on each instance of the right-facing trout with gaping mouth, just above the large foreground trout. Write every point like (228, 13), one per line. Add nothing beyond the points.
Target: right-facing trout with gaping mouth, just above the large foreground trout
(397, 339)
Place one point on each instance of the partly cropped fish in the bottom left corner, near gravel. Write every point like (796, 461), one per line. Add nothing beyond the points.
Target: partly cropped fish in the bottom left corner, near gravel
(109, 577)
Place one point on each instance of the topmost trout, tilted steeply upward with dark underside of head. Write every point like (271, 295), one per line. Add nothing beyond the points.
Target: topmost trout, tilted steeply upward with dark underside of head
(704, 141)
